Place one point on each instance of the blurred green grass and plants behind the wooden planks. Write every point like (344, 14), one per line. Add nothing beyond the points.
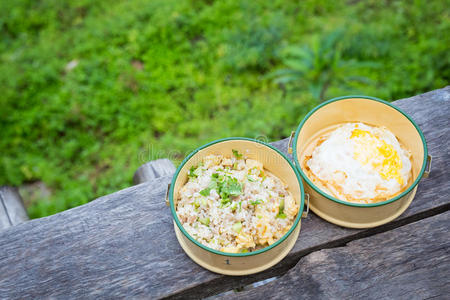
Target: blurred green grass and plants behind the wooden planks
(93, 89)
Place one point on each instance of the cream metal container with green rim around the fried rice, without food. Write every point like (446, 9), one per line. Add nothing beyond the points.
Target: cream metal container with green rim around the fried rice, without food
(239, 263)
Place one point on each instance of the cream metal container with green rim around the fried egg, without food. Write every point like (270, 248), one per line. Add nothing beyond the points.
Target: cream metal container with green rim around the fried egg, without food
(371, 111)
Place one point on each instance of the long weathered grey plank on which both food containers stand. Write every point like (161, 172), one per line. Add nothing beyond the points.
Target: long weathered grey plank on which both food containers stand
(123, 244)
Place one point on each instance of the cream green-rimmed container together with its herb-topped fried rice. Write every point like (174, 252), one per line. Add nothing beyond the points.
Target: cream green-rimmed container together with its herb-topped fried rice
(236, 205)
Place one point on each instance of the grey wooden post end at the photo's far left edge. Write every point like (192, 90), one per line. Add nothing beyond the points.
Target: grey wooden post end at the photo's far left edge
(12, 210)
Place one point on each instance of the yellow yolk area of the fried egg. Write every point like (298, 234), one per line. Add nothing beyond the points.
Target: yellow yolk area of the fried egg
(385, 159)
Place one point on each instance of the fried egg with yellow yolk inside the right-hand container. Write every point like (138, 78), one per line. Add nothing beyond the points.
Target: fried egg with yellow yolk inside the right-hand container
(359, 163)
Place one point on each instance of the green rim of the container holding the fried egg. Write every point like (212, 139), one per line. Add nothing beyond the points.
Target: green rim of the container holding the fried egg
(297, 163)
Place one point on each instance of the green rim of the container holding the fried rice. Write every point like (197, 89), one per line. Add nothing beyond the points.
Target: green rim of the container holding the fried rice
(180, 226)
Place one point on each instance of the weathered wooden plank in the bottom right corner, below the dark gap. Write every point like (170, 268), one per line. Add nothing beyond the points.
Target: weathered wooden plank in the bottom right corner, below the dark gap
(410, 262)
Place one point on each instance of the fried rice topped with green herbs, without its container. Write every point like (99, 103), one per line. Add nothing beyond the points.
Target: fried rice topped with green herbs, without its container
(232, 204)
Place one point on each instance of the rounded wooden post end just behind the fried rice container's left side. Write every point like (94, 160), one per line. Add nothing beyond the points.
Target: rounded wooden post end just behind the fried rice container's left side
(153, 169)
